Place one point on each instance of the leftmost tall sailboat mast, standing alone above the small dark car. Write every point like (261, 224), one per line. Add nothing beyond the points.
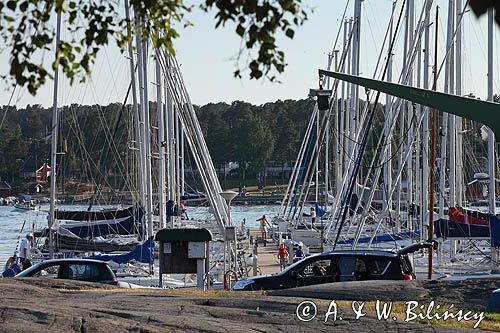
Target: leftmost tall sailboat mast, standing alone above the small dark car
(55, 130)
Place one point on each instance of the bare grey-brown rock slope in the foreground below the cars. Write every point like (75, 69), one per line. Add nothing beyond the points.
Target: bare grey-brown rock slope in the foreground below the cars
(37, 305)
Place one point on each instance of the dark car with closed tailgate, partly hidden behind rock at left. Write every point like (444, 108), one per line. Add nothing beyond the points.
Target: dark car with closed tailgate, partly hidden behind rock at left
(72, 269)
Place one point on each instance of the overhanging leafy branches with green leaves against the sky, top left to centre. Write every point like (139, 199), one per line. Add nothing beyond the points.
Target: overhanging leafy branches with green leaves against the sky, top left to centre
(26, 30)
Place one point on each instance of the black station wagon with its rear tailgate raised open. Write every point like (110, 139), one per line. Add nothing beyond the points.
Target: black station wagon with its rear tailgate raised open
(341, 265)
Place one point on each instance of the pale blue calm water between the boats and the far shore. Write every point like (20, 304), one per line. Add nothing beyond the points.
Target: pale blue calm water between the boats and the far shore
(12, 220)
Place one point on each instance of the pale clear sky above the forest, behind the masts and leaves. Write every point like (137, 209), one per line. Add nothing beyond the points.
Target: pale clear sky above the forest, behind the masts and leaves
(207, 55)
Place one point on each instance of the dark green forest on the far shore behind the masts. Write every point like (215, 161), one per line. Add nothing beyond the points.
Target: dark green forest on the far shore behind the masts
(96, 143)
